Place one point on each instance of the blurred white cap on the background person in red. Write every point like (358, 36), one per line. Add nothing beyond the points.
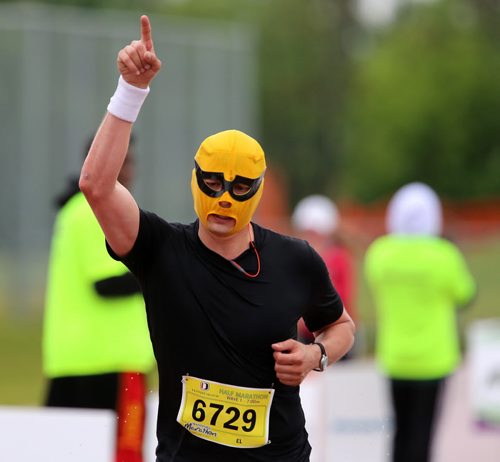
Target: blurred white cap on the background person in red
(316, 213)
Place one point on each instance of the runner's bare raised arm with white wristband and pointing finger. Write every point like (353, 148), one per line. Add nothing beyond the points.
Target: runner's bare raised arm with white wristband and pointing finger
(112, 204)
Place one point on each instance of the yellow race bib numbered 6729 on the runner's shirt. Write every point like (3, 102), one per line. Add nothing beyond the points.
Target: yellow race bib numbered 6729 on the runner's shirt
(225, 414)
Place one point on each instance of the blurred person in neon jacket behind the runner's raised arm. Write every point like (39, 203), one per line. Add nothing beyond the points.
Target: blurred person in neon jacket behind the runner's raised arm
(96, 347)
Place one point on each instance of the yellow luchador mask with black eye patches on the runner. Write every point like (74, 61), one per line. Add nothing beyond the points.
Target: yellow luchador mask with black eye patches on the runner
(229, 167)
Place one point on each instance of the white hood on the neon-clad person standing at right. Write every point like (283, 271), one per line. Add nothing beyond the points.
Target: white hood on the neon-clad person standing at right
(415, 209)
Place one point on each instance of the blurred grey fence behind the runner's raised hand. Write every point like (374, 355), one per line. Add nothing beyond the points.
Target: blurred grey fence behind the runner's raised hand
(58, 73)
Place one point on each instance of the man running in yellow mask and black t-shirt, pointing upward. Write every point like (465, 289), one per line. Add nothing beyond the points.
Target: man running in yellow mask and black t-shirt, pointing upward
(223, 295)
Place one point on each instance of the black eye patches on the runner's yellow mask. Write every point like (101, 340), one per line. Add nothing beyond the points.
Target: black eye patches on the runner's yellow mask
(213, 184)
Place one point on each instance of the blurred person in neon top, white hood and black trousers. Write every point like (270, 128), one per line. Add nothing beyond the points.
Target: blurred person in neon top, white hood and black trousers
(417, 279)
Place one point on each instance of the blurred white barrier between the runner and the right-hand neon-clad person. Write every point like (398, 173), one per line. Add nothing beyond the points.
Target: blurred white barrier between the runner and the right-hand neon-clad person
(347, 413)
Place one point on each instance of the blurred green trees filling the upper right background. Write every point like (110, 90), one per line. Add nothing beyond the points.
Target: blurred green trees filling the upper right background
(354, 113)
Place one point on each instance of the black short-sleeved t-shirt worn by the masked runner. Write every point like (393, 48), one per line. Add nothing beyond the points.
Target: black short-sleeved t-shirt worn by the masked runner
(211, 321)
